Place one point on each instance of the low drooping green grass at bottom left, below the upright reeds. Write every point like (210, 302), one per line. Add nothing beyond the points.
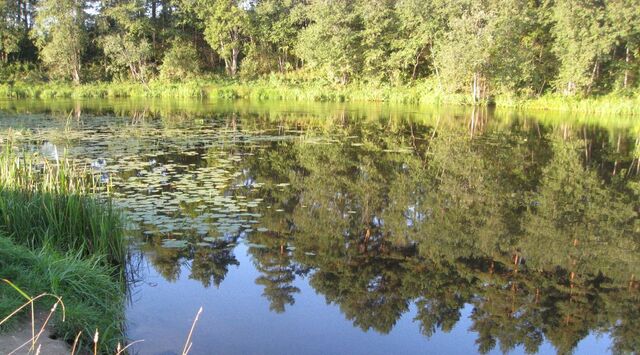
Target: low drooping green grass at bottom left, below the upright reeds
(92, 299)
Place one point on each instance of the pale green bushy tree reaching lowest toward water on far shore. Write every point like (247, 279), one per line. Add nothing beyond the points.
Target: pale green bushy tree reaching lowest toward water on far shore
(486, 45)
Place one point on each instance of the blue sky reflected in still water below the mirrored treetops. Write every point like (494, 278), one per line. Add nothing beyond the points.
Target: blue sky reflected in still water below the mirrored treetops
(237, 320)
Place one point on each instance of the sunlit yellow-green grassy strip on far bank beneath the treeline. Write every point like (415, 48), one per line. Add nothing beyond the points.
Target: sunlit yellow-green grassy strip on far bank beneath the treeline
(423, 93)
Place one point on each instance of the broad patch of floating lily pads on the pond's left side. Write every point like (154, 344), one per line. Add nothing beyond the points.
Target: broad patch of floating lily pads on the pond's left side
(183, 182)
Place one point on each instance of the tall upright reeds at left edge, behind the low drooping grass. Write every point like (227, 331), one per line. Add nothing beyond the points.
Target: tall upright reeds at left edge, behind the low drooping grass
(47, 204)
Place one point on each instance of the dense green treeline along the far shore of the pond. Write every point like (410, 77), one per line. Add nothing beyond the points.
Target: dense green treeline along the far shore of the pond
(479, 47)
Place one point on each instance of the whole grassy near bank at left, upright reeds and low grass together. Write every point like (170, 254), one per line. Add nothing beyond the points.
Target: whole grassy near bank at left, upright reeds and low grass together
(56, 237)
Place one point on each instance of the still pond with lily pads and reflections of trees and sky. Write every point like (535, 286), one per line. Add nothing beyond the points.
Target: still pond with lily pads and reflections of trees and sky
(311, 228)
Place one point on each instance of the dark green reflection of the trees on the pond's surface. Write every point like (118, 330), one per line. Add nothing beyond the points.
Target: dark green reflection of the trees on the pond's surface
(534, 225)
